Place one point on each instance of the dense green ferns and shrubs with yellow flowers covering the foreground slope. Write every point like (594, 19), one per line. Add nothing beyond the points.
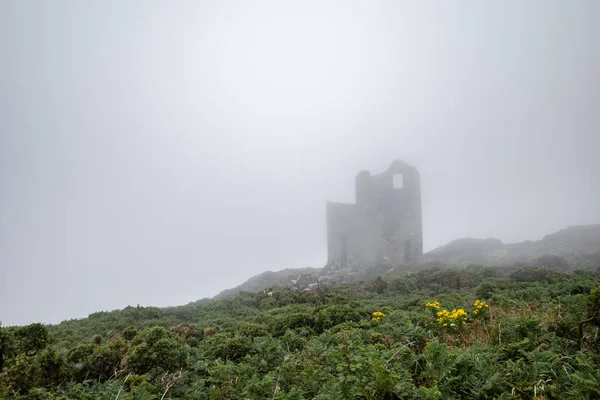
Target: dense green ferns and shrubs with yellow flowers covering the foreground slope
(438, 333)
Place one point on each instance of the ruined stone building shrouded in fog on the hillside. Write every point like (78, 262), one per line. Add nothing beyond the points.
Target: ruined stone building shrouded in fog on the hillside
(384, 227)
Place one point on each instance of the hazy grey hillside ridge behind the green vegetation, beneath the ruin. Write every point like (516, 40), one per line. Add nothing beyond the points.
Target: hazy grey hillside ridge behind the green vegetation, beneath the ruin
(579, 246)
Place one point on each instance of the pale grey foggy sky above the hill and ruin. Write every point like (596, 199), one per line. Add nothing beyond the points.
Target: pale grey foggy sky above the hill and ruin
(159, 152)
